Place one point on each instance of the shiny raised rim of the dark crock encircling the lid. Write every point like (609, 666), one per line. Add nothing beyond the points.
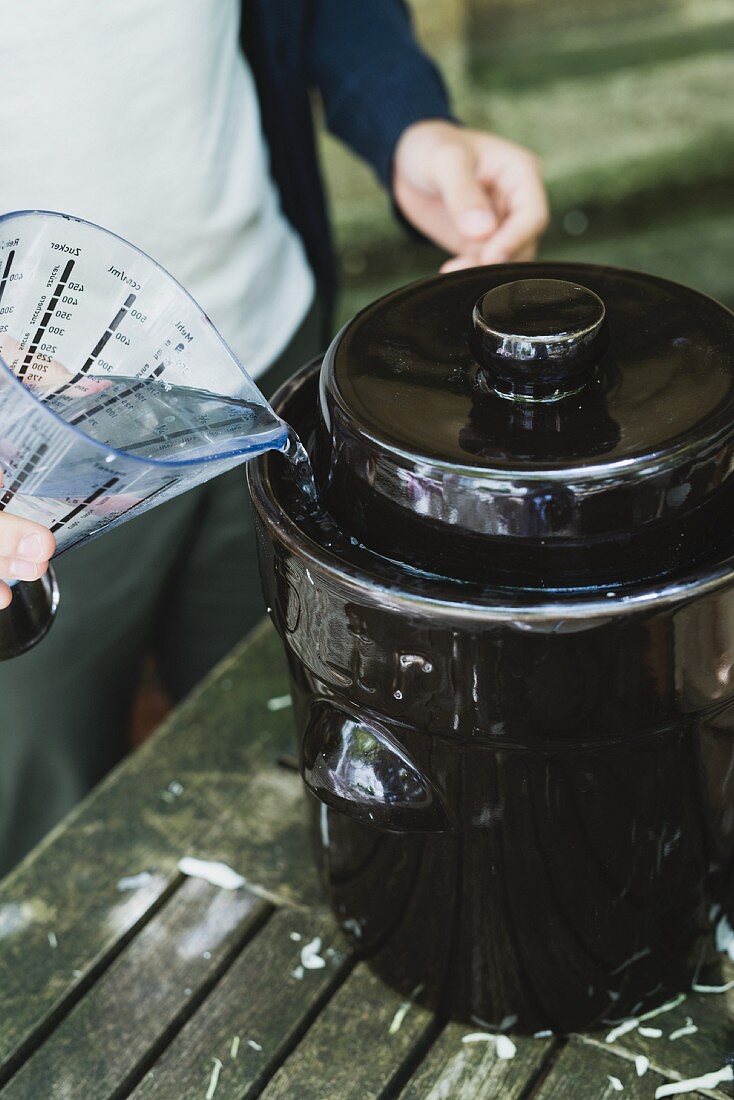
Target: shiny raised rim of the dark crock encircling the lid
(320, 541)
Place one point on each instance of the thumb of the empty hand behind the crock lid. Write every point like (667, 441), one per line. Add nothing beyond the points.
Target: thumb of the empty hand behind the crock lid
(466, 200)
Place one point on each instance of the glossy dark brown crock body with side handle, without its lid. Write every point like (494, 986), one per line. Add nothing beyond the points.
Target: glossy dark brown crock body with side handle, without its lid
(528, 818)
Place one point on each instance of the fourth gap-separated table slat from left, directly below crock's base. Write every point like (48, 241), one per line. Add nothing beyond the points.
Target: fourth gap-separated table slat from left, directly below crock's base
(473, 1072)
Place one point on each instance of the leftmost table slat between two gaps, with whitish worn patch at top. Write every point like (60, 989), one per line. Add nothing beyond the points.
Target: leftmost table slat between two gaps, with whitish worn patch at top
(97, 1050)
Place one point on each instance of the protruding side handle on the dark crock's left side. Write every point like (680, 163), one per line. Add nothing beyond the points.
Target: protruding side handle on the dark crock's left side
(357, 769)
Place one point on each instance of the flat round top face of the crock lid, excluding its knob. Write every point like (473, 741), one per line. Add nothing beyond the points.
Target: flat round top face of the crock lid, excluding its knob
(404, 371)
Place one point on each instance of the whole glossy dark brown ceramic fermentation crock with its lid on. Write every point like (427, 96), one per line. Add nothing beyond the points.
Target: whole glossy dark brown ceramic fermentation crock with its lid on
(511, 635)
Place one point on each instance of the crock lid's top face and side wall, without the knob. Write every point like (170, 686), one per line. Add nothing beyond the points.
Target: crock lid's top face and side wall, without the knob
(418, 455)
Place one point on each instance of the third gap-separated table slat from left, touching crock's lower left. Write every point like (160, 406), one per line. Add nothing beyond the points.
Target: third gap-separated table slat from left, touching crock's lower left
(350, 1051)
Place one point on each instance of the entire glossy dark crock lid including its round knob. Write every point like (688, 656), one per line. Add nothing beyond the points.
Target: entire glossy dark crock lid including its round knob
(529, 402)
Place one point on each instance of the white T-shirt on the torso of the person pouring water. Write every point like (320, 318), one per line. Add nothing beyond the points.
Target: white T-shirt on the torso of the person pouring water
(144, 118)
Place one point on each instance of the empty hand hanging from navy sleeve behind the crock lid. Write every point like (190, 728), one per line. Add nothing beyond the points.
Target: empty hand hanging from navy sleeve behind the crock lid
(476, 195)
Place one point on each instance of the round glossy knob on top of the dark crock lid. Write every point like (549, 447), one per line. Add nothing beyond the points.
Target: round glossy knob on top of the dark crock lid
(540, 339)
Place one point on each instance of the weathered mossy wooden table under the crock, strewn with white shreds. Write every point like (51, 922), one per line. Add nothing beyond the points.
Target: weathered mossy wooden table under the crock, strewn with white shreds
(167, 987)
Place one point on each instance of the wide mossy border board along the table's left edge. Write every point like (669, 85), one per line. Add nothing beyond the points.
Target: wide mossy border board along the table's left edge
(62, 917)
